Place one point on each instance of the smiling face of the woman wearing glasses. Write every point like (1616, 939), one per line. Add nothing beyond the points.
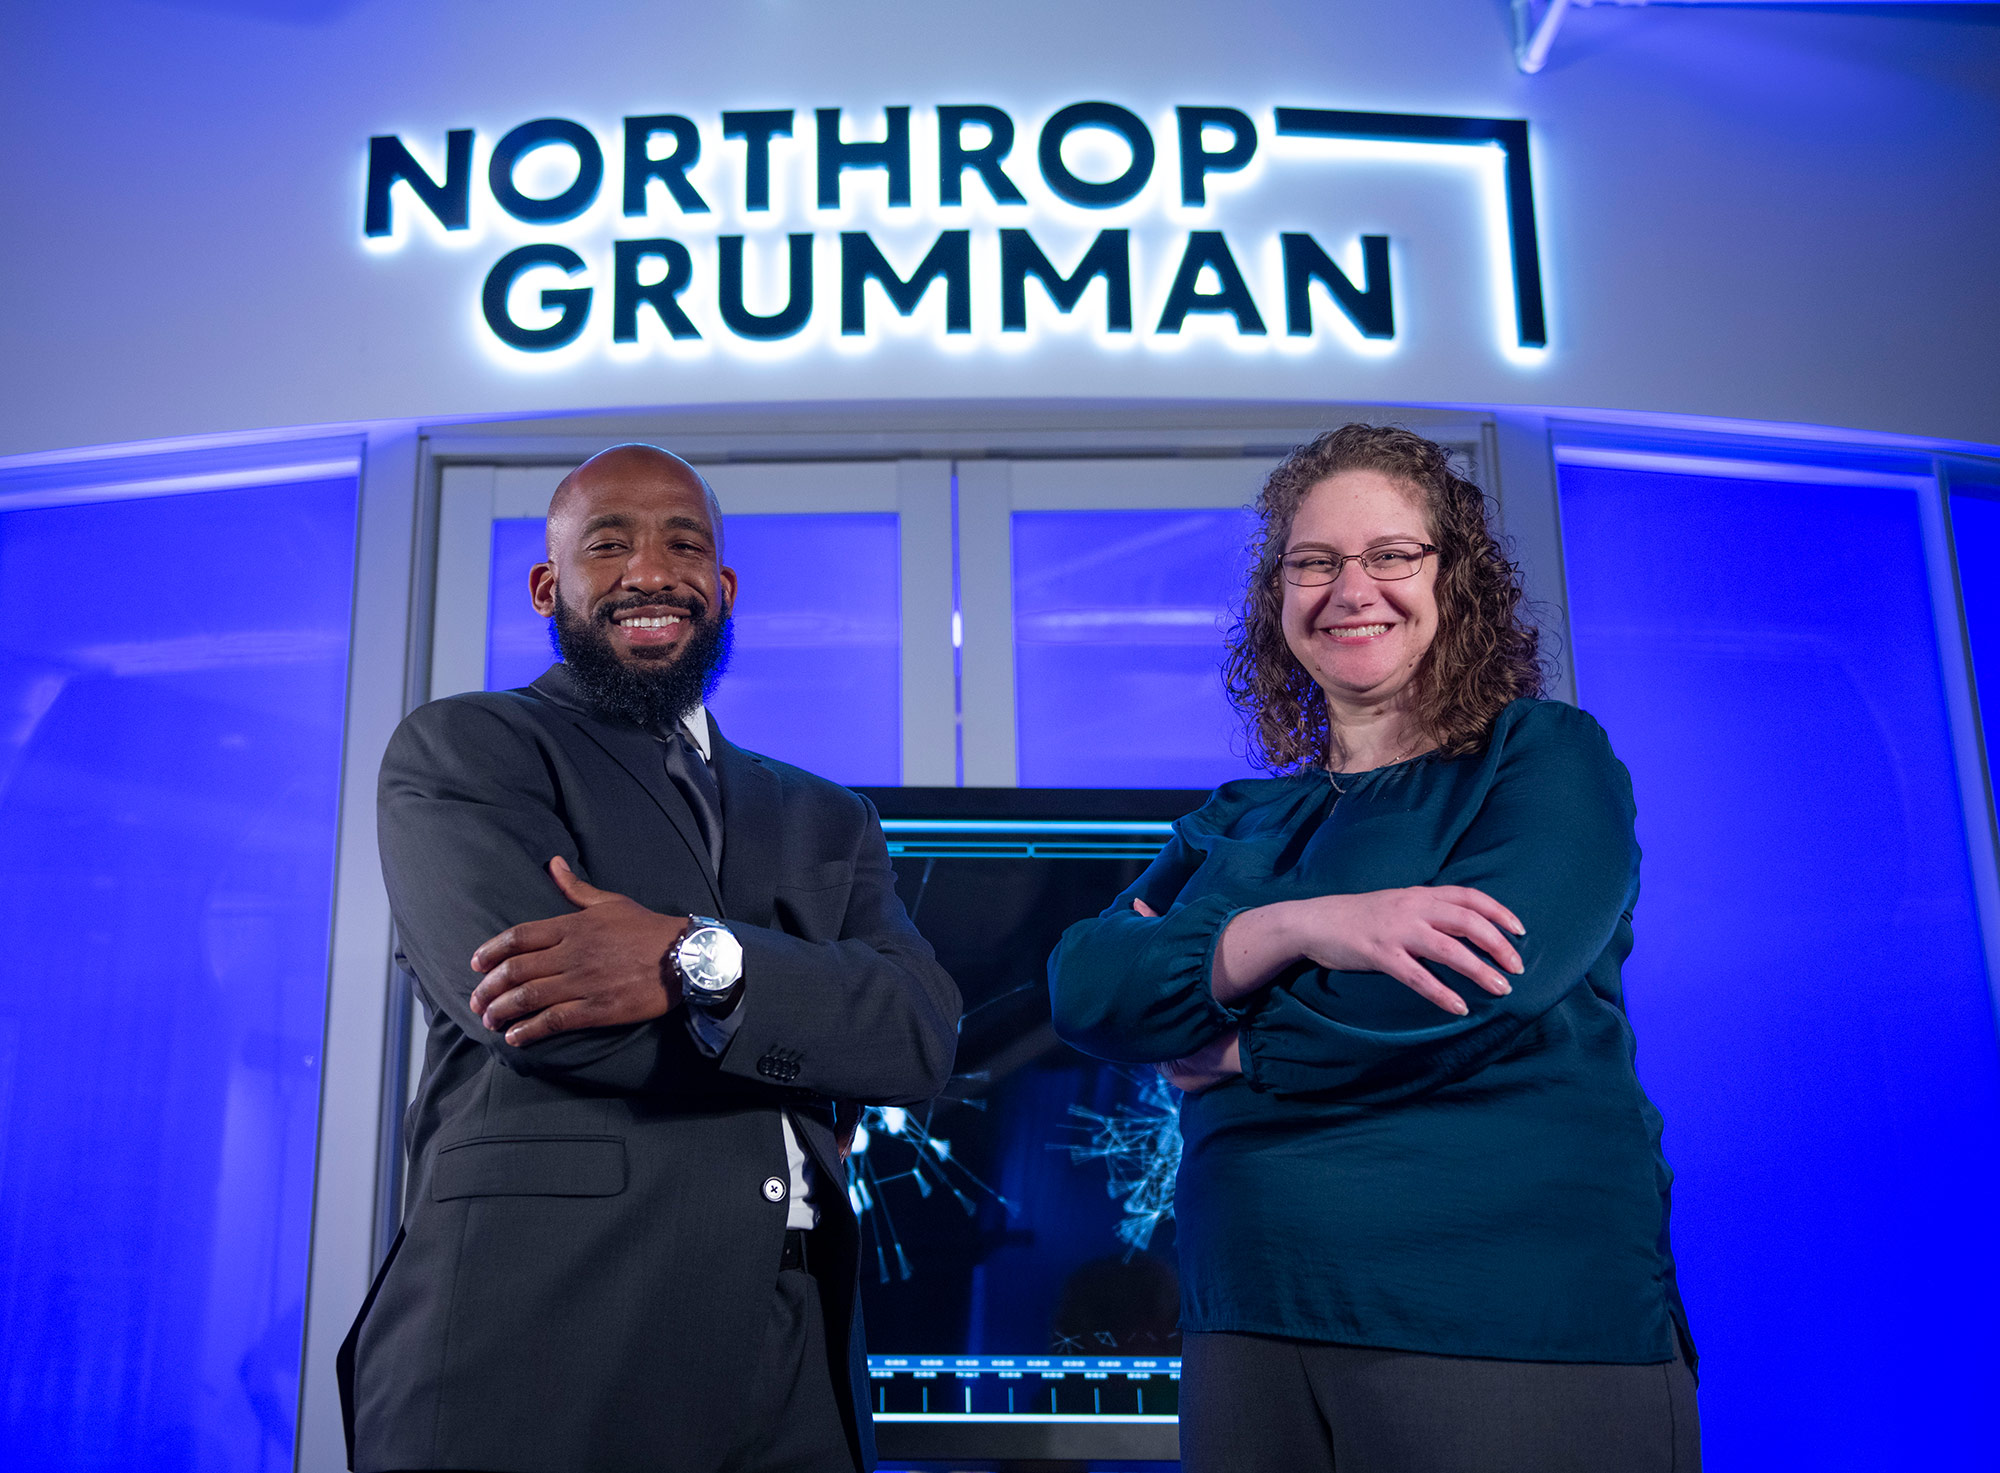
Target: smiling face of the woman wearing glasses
(1361, 639)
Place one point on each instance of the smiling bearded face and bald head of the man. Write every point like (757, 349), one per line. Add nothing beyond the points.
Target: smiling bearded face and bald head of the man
(635, 583)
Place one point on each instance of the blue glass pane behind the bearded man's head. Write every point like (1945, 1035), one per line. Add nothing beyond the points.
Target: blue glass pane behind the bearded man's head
(817, 677)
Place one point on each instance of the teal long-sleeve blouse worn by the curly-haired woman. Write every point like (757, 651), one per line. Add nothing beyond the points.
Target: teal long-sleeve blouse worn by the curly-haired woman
(1387, 1174)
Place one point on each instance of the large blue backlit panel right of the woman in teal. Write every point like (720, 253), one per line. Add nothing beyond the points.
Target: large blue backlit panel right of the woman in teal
(1809, 988)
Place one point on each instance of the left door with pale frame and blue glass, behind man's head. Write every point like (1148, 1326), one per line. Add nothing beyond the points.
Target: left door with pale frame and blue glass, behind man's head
(843, 657)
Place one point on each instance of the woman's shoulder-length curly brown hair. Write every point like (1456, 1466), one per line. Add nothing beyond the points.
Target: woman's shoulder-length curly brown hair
(1485, 653)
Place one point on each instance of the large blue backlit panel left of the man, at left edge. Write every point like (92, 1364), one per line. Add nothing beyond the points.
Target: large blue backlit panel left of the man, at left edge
(169, 790)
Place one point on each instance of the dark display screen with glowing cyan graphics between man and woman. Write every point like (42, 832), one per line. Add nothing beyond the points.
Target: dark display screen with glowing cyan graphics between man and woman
(1019, 1234)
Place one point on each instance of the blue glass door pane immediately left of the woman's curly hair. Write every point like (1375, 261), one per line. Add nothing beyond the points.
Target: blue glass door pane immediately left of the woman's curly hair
(1119, 625)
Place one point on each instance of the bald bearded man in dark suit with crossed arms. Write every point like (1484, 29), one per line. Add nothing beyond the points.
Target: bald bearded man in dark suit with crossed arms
(661, 974)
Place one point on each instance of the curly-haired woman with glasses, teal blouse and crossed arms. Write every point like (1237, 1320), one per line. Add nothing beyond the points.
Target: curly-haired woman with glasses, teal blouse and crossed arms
(1423, 1204)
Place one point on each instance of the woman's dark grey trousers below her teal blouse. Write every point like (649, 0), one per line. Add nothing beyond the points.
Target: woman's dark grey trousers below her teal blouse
(1255, 1402)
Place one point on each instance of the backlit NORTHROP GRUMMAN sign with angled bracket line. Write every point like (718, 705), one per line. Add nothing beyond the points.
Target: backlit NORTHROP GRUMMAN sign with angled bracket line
(767, 231)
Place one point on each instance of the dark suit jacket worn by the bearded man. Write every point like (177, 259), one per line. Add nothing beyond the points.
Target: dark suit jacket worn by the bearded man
(589, 1252)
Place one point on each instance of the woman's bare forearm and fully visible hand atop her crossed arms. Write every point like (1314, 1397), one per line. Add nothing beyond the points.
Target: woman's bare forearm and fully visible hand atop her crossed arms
(1383, 932)
